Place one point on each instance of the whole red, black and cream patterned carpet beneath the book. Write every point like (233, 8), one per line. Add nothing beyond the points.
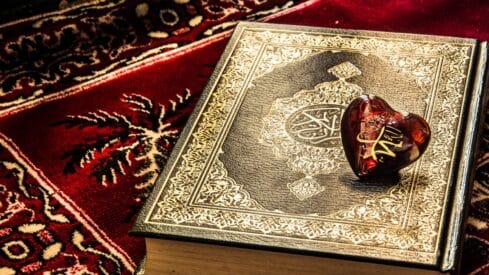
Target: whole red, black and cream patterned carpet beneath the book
(92, 100)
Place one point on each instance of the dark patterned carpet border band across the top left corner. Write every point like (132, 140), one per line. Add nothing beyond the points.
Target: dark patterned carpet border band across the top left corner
(52, 51)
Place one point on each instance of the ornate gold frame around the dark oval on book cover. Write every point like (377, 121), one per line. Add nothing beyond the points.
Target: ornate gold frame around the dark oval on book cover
(415, 240)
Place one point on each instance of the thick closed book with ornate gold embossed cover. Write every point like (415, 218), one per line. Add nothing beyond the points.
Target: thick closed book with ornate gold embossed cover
(258, 182)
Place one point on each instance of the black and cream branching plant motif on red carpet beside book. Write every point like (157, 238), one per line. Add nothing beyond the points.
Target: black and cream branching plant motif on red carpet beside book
(145, 137)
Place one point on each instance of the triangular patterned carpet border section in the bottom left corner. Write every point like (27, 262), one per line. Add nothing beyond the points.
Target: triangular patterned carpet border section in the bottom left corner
(42, 230)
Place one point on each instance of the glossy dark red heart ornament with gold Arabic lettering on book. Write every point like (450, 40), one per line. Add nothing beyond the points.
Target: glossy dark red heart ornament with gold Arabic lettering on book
(379, 140)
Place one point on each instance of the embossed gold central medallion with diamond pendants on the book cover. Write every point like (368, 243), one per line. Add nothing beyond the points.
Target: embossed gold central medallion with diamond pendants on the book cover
(305, 129)
